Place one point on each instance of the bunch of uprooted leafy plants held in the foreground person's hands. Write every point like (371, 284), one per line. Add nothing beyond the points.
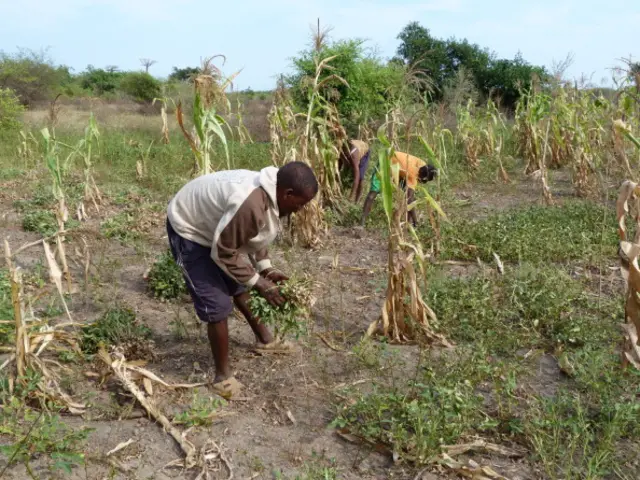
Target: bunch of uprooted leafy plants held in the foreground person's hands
(290, 318)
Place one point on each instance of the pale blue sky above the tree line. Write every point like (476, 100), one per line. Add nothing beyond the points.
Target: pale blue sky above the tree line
(261, 36)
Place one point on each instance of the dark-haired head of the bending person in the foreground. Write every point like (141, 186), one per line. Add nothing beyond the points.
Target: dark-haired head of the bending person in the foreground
(296, 185)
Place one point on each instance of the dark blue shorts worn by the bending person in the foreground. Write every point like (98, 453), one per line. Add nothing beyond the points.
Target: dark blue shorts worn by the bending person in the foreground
(211, 289)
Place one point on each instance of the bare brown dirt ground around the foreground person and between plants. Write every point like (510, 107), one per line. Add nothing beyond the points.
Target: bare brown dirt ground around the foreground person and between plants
(282, 421)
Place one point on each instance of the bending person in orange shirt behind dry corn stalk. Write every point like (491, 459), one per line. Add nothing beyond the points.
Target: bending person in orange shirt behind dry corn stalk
(412, 171)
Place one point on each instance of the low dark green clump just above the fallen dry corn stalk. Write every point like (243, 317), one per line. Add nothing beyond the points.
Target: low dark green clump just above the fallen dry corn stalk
(117, 326)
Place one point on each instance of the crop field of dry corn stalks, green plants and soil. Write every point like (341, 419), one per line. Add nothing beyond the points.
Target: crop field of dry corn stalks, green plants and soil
(486, 343)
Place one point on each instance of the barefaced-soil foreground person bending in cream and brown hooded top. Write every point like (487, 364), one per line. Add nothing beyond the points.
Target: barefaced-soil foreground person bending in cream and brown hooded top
(219, 228)
